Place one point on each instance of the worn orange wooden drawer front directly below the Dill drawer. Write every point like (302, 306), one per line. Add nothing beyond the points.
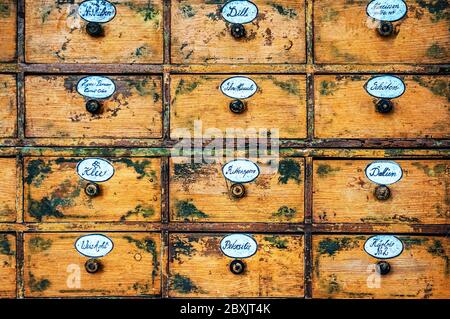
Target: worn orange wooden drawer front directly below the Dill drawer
(279, 102)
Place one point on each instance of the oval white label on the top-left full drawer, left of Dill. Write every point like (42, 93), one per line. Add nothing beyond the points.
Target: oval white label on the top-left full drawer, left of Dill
(100, 11)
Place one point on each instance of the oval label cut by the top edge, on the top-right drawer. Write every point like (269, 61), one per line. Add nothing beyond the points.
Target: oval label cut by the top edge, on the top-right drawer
(387, 10)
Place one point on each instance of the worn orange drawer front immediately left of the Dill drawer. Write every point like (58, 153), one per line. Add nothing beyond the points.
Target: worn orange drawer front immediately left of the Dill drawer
(134, 35)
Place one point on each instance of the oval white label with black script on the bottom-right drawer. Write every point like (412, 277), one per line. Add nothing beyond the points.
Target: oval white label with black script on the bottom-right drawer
(383, 246)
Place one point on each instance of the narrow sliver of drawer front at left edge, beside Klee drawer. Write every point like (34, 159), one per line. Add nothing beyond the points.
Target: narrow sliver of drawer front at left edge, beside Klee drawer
(8, 190)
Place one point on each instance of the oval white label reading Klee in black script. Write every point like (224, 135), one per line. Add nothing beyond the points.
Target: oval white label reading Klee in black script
(95, 169)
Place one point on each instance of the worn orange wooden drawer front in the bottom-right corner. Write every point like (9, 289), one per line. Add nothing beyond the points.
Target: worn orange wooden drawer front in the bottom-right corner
(342, 269)
